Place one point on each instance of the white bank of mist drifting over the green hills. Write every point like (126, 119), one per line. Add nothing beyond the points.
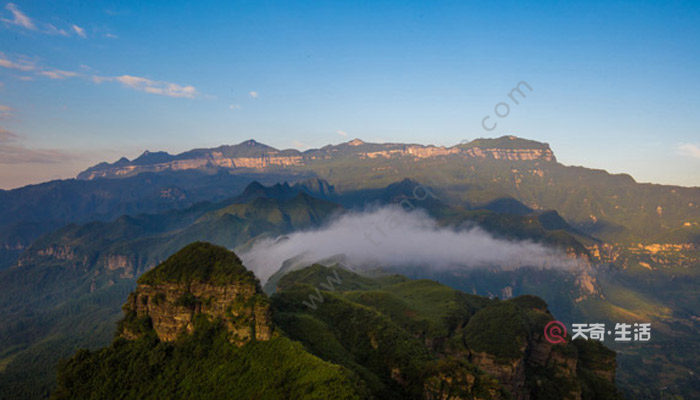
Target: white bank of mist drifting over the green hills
(393, 237)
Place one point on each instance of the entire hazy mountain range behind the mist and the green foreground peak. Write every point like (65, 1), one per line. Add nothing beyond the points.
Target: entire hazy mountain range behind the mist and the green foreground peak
(72, 250)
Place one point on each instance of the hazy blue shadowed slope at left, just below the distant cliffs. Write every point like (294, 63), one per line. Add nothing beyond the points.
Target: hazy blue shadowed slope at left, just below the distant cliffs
(31, 211)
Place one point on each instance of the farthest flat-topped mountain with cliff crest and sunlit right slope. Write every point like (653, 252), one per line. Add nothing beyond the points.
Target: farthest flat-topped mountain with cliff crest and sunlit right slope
(614, 208)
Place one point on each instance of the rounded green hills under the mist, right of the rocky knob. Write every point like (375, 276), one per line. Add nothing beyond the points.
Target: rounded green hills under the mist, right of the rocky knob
(425, 330)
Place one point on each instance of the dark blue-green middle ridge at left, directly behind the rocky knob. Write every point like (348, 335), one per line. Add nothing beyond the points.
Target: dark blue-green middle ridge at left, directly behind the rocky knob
(68, 286)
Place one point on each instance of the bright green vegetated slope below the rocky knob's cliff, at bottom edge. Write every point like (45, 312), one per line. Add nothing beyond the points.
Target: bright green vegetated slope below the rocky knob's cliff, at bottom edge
(203, 366)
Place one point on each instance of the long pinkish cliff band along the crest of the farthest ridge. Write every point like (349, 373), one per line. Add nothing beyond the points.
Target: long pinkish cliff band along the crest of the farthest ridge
(257, 156)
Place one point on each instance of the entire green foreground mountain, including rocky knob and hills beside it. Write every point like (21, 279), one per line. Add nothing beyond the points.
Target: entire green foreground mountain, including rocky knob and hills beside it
(198, 326)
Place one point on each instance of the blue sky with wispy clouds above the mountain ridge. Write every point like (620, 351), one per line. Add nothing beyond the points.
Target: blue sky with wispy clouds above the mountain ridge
(616, 85)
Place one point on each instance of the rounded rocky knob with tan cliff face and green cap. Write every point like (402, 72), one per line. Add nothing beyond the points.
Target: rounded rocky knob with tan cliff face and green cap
(171, 298)
